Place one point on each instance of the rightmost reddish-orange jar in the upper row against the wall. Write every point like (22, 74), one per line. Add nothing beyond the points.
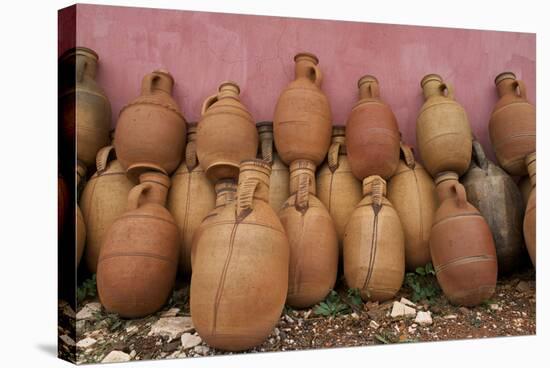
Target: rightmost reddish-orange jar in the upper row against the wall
(512, 127)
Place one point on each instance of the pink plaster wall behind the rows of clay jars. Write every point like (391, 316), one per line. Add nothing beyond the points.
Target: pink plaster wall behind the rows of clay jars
(203, 49)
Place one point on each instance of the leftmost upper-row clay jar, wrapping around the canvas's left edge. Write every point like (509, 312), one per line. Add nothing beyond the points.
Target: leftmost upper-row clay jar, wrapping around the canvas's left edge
(82, 100)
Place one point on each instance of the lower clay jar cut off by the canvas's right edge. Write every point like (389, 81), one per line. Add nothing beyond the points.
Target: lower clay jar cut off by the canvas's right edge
(530, 220)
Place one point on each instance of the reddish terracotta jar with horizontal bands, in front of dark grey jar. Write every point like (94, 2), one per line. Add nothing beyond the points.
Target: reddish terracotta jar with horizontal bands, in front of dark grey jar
(461, 244)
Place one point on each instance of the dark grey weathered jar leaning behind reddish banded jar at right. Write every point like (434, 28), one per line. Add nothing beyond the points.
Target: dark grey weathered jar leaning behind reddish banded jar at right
(497, 197)
